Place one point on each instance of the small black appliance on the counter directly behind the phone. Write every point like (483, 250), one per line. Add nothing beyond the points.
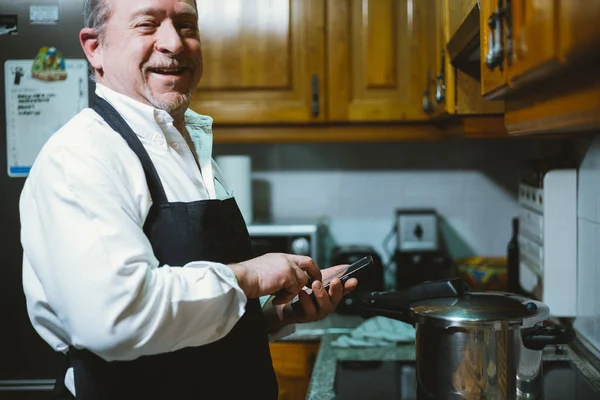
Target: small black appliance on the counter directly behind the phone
(370, 279)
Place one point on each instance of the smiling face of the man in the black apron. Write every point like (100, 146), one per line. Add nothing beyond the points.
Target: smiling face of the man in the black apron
(151, 51)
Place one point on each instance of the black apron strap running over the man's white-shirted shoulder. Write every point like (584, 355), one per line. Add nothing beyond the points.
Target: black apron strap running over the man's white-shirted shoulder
(118, 124)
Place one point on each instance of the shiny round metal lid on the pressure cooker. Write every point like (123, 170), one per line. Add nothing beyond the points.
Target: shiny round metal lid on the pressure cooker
(479, 309)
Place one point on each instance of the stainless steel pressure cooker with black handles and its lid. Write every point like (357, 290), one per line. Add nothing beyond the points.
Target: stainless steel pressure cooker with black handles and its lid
(472, 345)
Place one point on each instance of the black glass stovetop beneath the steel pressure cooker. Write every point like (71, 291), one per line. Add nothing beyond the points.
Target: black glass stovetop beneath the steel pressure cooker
(374, 380)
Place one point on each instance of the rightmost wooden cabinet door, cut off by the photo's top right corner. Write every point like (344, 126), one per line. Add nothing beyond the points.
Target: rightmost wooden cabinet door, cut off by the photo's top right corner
(579, 28)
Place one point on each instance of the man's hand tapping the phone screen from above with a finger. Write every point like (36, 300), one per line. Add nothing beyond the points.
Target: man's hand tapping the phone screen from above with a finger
(279, 274)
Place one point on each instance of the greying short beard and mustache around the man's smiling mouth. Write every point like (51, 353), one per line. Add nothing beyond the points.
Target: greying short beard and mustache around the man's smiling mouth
(174, 99)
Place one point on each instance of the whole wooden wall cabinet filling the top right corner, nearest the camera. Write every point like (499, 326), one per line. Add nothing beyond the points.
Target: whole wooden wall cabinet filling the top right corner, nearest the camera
(555, 49)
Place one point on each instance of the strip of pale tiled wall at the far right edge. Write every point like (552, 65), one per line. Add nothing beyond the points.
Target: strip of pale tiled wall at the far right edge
(588, 249)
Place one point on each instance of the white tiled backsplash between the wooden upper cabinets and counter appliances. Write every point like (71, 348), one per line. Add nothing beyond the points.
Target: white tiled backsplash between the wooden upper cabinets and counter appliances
(357, 188)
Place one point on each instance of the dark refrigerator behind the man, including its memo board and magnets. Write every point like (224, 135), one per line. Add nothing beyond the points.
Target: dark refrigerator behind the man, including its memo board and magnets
(28, 366)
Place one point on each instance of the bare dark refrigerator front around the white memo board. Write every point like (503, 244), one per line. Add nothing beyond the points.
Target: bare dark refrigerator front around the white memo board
(28, 366)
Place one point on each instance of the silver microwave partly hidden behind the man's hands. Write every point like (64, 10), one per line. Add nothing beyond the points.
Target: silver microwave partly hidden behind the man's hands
(302, 239)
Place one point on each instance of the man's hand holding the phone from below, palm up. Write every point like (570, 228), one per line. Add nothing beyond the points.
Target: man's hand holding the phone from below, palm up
(278, 315)
